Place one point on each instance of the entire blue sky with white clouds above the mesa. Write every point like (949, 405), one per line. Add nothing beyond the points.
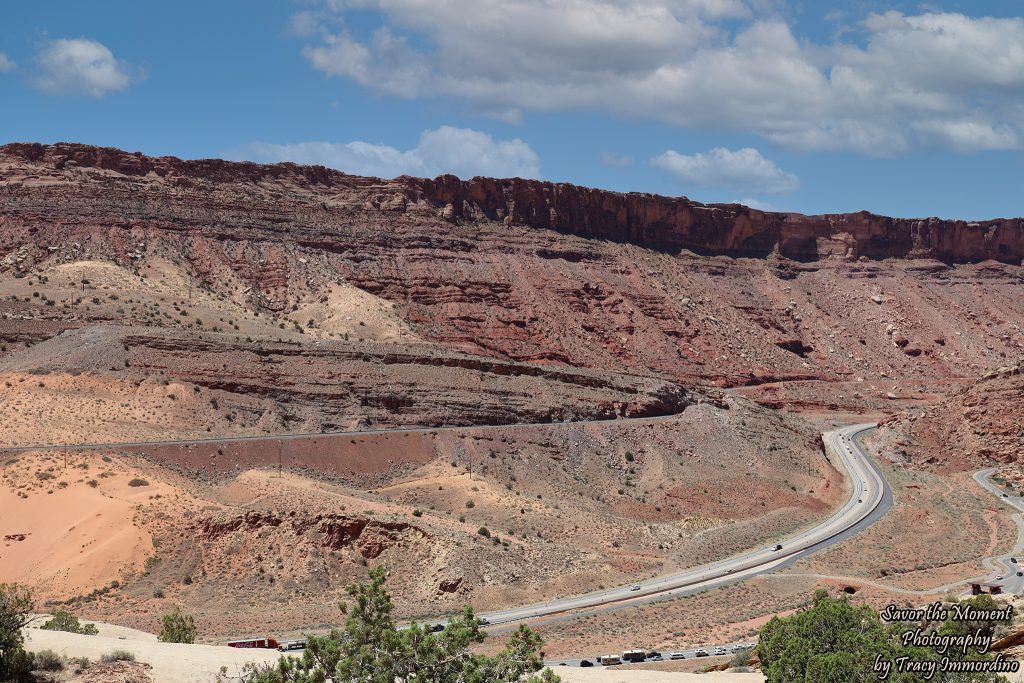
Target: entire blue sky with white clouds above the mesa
(910, 109)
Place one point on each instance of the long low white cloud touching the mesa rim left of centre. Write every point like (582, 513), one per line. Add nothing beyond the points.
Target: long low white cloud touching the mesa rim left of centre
(462, 152)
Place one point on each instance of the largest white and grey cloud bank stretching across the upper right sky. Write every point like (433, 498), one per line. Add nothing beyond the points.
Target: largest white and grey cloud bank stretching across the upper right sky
(906, 79)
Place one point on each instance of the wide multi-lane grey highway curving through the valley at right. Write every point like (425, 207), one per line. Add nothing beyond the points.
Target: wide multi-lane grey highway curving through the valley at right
(870, 499)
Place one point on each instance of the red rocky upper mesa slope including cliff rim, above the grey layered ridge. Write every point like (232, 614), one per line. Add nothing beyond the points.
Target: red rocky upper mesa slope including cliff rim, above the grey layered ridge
(515, 270)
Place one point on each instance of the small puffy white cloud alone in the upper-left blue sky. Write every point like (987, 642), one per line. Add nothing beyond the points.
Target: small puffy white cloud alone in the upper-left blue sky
(82, 67)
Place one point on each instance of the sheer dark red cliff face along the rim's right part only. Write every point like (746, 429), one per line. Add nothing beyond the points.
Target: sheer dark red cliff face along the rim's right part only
(674, 224)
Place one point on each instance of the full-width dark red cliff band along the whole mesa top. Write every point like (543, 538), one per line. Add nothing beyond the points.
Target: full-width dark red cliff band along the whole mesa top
(649, 221)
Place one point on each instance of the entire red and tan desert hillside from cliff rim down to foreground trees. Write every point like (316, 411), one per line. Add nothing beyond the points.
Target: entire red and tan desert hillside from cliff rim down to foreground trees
(500, 391)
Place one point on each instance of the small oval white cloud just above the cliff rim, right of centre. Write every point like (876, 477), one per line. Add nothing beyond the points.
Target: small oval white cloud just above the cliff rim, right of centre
(740, 169)
